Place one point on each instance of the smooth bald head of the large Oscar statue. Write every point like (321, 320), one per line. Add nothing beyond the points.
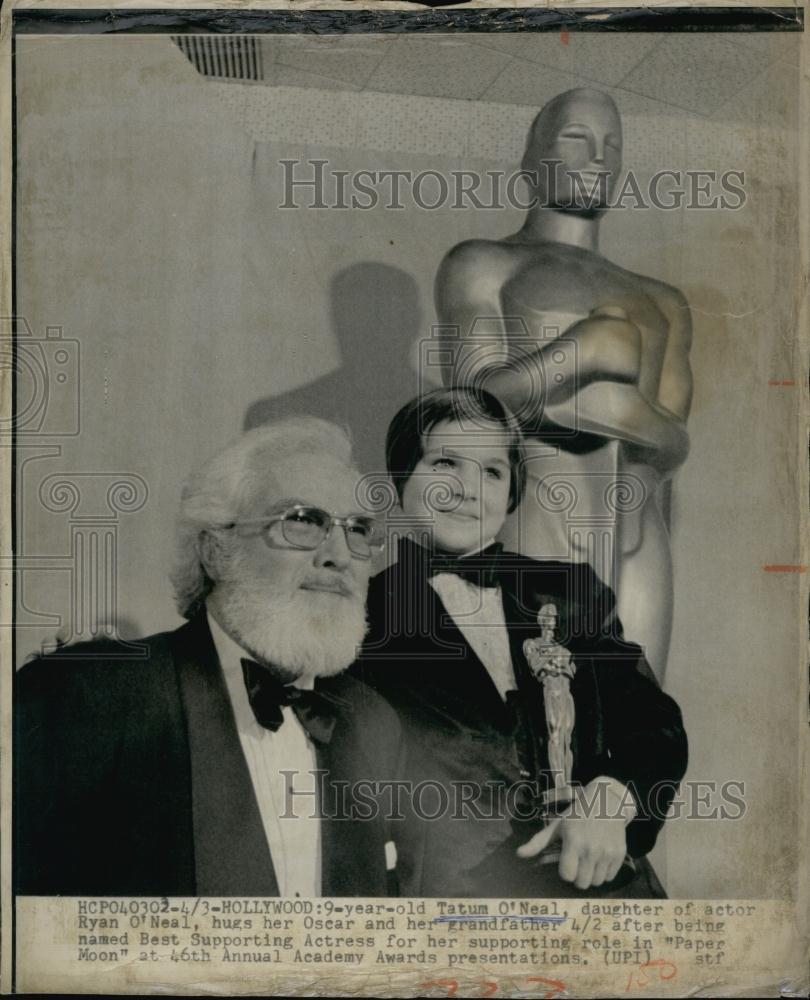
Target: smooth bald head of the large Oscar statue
(574, 151)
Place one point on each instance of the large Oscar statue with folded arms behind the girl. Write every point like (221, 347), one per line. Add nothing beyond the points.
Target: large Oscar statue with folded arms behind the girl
(593, 358)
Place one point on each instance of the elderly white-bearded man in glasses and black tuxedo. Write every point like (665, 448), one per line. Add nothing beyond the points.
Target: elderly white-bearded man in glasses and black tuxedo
(189, 770)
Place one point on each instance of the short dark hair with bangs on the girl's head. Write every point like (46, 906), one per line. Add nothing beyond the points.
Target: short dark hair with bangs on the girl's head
(404, 442)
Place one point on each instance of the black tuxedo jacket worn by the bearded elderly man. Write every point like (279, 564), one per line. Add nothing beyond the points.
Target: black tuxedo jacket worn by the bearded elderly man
(130, 777)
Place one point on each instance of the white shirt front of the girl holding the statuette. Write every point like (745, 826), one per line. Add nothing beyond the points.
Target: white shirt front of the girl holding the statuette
(478, 613)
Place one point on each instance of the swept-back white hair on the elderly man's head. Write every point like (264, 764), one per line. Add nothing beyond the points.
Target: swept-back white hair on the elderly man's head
(215, 494)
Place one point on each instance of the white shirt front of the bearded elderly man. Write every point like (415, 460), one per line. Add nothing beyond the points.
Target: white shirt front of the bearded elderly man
(291, 825)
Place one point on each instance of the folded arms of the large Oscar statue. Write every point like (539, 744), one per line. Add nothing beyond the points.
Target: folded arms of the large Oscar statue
(600, 356)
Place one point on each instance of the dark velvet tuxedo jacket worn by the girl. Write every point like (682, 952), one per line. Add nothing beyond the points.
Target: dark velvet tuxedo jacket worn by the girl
(459, 729)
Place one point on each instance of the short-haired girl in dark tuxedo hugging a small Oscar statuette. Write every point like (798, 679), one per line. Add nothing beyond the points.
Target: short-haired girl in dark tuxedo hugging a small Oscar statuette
(448, 623)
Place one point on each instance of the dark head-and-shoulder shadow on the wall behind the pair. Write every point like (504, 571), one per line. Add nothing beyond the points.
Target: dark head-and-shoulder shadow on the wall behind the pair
(376, 319)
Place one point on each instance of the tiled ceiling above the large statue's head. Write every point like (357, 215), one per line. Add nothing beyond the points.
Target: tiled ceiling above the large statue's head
(711, 76)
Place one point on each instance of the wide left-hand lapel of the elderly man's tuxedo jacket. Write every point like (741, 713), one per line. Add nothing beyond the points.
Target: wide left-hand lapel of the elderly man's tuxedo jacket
(230, 847)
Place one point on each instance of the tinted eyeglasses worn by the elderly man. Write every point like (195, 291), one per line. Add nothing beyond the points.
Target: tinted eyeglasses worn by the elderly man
(308, 527)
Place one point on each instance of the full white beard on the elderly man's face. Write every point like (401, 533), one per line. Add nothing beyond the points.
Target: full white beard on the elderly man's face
(308, 634)
